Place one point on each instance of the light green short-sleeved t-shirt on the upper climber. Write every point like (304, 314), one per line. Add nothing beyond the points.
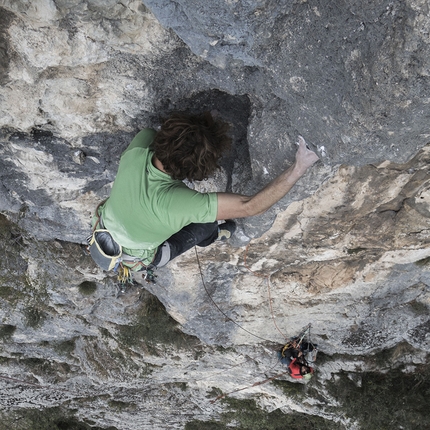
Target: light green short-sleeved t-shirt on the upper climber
(146, 206)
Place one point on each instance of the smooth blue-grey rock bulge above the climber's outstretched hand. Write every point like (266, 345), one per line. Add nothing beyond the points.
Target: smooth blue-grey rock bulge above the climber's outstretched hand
(349, 76)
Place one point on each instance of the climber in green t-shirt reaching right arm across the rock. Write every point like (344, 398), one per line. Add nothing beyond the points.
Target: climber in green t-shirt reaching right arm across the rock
(155, 217)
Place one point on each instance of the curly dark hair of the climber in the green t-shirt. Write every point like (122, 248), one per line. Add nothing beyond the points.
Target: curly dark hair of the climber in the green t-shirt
(190, 146)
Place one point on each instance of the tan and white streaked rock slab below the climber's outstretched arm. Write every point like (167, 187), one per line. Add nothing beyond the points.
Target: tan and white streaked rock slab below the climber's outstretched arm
(347, 259)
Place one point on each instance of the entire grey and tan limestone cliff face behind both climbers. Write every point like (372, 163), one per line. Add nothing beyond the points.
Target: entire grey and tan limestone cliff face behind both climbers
(347, 250)
